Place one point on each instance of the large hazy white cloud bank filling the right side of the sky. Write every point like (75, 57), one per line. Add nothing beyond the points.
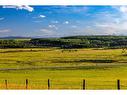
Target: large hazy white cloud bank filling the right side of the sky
(110, 24)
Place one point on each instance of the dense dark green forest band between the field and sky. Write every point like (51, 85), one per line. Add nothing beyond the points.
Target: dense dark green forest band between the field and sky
(68, 42)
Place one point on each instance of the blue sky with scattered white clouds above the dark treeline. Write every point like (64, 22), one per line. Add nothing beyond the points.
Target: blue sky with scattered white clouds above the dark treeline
(59, 21)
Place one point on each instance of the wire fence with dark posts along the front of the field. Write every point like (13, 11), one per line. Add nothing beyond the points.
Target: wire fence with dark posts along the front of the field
(60, 84)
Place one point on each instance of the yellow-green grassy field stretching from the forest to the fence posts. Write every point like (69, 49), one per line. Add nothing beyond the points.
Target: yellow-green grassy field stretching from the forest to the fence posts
(65, 68)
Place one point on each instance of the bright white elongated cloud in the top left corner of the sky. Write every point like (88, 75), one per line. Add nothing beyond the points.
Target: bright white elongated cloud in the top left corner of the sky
(20, 7)
